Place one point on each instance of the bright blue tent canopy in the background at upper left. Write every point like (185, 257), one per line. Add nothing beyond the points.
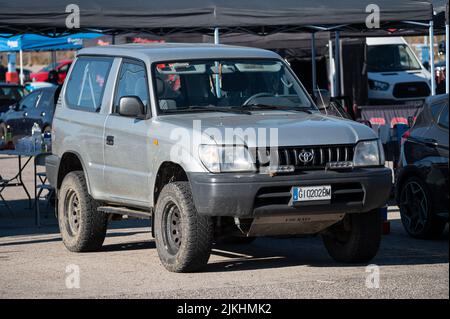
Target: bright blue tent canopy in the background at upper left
(34, 42)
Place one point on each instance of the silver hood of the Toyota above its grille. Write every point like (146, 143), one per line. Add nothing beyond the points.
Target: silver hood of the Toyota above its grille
(275, 128)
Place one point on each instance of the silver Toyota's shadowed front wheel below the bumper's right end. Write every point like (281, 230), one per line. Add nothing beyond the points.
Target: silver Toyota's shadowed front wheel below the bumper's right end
(355, 239)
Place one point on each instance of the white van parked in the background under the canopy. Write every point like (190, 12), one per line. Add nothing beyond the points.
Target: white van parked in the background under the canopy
(395, 74)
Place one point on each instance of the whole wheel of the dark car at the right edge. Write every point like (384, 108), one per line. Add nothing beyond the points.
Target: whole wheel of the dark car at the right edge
(416, 210)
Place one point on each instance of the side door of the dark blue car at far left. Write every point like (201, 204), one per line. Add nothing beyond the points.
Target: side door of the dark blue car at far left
(19, 121)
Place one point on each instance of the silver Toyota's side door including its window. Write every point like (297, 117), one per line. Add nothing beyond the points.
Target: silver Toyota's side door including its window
(126, 169)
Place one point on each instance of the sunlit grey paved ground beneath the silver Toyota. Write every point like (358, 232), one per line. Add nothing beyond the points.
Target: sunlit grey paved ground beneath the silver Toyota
(33, 263)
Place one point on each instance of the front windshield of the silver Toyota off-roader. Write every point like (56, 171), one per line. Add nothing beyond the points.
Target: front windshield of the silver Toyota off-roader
(225, 85)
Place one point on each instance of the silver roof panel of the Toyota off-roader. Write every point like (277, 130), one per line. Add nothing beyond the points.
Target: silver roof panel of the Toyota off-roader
(179, 51)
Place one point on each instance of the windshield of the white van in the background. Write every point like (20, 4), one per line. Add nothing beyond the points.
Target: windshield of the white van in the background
(391, 58)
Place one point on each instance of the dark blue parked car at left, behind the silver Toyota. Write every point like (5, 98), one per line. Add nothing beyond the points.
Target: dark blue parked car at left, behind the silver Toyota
(36, 107)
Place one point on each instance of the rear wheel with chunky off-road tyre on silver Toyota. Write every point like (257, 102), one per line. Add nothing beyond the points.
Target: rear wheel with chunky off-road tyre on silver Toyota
(92, 224)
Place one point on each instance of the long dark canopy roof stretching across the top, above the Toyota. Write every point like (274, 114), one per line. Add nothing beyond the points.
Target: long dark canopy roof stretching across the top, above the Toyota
(165, 17)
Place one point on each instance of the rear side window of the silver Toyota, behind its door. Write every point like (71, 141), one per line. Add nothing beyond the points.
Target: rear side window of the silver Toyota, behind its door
(86, 85)
